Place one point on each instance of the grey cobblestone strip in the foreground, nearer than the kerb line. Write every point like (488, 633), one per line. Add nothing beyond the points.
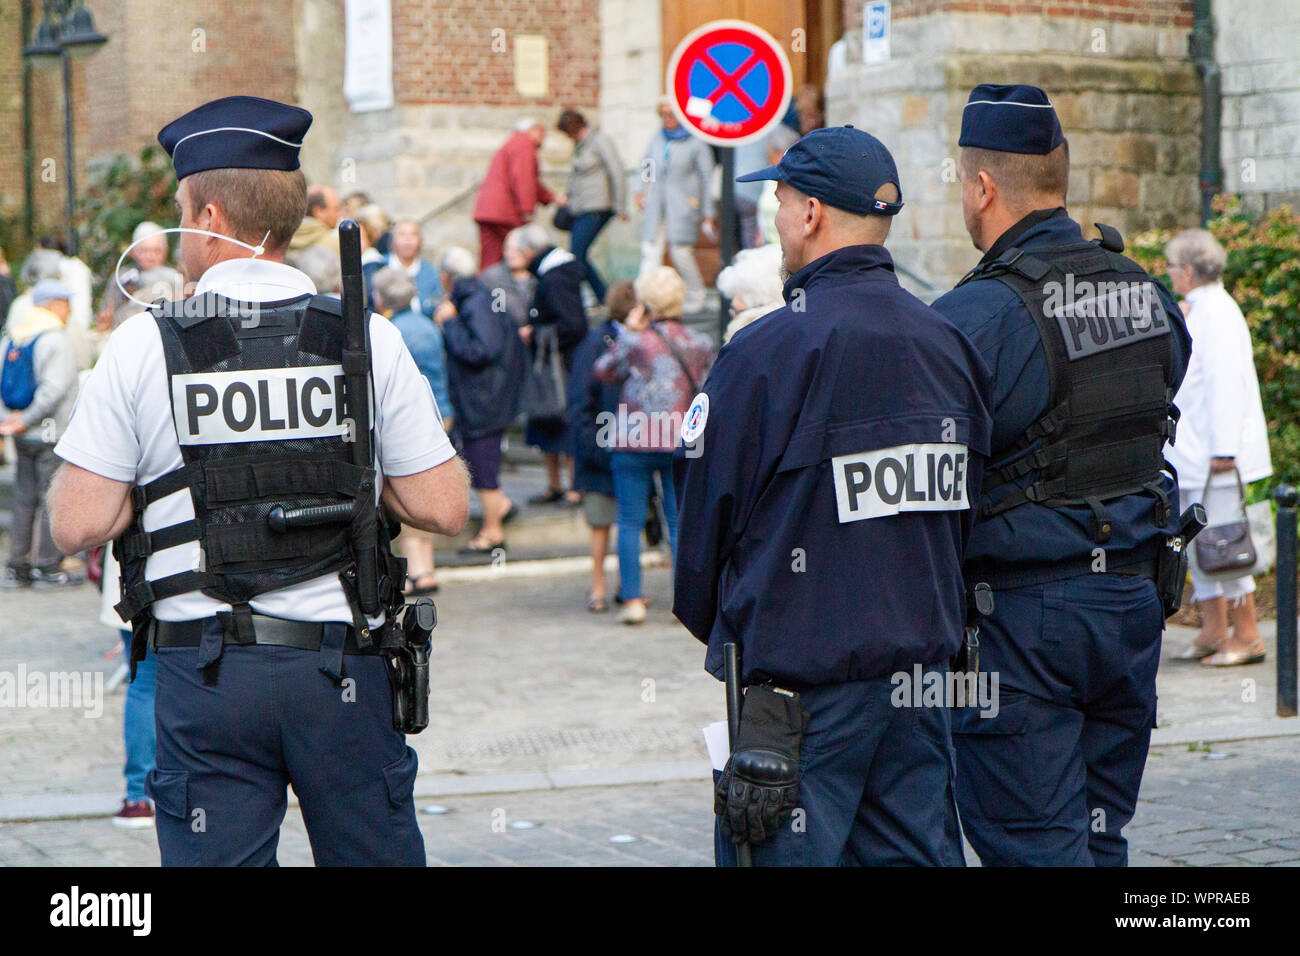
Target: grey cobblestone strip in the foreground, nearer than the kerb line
(1195, 811)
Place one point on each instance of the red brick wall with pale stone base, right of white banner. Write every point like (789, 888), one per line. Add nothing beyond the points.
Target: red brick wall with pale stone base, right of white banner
(456, 105)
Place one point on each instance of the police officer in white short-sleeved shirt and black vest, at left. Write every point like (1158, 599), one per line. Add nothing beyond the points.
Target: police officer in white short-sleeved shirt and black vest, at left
(202, 418)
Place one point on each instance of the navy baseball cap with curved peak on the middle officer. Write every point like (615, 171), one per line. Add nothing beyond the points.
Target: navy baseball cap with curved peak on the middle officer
(840, 166)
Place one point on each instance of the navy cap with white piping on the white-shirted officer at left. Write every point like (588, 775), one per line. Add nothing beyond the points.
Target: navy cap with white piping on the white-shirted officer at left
(236, 133)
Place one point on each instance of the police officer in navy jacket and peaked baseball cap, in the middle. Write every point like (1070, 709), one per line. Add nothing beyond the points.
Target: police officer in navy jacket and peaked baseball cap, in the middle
(826, 487)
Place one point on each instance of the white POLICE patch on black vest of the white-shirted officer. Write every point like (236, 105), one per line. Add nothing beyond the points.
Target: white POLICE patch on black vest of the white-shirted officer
(259, 405)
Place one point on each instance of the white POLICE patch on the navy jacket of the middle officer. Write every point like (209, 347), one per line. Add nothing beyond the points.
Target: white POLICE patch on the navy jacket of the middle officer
(905, 478)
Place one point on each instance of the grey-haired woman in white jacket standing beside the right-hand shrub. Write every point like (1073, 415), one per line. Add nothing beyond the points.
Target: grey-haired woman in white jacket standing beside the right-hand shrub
(1223, 439)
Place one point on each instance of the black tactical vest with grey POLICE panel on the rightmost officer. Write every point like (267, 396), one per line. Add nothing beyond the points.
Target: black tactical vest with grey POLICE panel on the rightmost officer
(1110, 352)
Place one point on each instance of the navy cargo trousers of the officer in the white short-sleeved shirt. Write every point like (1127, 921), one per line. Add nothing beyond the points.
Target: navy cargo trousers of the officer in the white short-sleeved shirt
(228, 750)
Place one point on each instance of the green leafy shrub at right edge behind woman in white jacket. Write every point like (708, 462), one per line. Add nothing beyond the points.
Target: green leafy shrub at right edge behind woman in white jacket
(1263, 276)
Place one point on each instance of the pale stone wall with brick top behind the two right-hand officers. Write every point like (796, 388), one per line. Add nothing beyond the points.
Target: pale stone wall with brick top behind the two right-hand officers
(1117, 72)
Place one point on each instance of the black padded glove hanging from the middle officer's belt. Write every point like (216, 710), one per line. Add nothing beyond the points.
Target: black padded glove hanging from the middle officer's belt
(760, 786)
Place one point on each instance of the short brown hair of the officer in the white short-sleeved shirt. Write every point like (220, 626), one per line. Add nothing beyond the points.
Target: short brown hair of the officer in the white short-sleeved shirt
(254, 202)
